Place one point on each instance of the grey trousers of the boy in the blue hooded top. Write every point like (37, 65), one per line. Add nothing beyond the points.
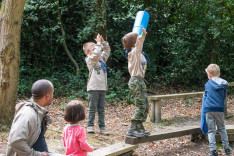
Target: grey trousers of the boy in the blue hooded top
(213, 119)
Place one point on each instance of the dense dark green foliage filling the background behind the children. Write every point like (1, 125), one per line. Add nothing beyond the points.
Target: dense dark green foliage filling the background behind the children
(183, 38)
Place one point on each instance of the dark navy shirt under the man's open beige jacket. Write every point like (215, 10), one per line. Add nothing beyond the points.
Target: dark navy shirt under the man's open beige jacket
(40, 145)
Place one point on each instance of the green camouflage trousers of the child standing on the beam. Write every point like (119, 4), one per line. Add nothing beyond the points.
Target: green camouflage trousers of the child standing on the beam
(138, 90)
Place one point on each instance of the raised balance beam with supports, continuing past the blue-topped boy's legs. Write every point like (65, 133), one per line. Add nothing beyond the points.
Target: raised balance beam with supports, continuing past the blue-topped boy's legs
(192, 130)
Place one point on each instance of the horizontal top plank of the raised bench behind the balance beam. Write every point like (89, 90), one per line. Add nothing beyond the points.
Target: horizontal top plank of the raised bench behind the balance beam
(171, 96)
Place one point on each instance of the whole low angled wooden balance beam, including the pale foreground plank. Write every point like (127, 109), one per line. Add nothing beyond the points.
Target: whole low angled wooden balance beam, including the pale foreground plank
(126, 149)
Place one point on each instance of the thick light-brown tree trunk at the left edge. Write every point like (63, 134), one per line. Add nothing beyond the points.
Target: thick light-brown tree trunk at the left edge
(10, 29)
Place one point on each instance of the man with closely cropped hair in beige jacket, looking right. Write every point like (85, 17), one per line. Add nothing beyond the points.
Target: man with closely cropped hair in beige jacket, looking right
(26, 137)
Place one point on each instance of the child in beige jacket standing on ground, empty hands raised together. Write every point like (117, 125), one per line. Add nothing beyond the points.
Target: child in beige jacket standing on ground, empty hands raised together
(96, 57)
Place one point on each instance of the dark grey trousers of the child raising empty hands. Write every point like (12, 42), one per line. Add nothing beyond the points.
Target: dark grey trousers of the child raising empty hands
(96, 104)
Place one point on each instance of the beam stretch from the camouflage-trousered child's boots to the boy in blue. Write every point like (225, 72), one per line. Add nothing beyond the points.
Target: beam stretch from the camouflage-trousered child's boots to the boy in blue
(164, 135)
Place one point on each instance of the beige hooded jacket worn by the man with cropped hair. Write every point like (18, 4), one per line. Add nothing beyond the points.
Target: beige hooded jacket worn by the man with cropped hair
(25, 129)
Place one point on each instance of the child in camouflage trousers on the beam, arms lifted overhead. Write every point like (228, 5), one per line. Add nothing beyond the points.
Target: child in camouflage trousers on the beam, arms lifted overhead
(137, 64)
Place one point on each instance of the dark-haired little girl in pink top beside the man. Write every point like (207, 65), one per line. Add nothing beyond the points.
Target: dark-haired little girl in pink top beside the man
(74, 137)
